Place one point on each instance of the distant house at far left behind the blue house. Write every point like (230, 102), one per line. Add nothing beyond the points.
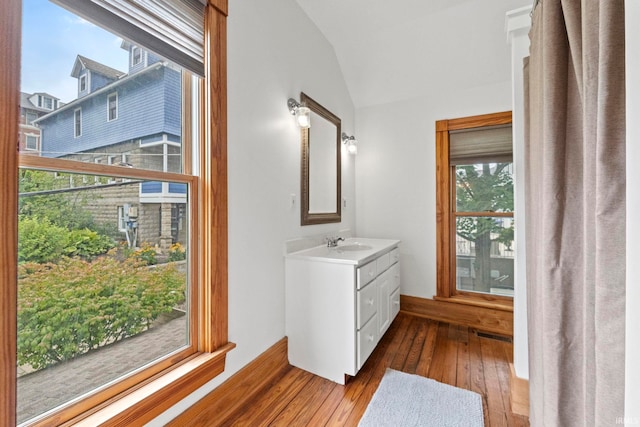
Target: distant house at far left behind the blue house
(32, 107)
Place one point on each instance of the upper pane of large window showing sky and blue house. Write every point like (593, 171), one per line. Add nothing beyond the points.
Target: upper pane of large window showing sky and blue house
(112, 103)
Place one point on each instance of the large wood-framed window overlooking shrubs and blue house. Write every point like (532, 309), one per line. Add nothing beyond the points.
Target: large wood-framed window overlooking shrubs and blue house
(115, 262)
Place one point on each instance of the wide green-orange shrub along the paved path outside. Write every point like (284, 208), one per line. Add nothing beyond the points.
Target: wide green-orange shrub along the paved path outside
(75, 306)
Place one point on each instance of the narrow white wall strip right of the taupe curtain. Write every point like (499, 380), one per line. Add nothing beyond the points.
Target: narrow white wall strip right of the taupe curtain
(632, 349)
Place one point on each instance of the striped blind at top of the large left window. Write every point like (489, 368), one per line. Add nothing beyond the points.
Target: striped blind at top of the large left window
(173, 29)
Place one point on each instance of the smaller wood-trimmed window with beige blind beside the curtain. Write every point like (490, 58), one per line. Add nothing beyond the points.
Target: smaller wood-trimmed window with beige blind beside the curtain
(475, 215)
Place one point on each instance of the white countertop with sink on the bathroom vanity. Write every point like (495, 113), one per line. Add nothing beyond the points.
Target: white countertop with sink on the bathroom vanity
(347, 252)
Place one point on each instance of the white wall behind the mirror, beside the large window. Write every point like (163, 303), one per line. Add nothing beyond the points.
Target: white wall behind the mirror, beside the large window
(274, 52)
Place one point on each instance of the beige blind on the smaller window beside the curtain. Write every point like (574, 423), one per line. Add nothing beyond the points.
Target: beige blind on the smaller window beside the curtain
(481, 145)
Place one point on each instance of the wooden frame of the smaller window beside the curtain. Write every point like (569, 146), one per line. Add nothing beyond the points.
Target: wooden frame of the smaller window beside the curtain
(445, 215)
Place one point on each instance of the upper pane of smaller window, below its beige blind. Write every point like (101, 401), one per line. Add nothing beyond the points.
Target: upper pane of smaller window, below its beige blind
(484, 187)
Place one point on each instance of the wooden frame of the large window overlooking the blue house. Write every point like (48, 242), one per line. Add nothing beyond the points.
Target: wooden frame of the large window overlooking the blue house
(140, 399)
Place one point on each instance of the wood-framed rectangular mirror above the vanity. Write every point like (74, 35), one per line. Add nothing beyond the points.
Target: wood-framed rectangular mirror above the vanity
(320, 181)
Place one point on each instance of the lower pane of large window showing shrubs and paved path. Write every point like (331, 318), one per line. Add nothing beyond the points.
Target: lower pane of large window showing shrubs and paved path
(102, 286)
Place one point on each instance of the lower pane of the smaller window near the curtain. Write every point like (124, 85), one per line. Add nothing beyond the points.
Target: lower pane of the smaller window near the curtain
(484, 254)
